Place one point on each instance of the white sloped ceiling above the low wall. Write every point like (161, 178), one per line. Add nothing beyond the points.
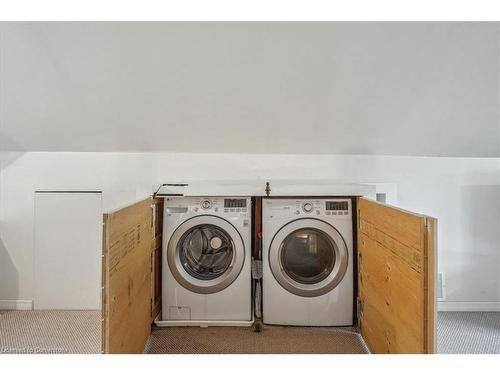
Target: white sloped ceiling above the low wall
(427, 89)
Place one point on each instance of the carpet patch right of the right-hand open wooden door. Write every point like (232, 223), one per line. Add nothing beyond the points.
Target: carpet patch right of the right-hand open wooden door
(468, 332)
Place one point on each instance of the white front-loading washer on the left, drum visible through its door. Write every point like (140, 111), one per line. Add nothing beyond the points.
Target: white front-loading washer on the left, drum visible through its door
(206, 272)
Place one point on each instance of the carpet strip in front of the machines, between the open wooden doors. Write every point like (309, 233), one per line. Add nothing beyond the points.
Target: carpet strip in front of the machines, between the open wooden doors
(272, 340)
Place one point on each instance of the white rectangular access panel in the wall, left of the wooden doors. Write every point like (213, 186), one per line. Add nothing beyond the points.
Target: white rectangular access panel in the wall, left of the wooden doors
(68, 241)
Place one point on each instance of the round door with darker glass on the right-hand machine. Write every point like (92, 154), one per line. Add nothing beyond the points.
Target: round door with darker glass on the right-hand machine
(308, 257)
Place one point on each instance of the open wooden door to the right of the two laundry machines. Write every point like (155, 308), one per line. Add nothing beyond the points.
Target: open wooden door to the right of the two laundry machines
(396, 276)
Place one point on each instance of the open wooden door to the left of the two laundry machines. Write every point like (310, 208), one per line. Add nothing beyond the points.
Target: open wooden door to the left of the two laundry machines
(126, 290)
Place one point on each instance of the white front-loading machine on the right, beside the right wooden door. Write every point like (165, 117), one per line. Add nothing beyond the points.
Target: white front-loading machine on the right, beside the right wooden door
(307, 262)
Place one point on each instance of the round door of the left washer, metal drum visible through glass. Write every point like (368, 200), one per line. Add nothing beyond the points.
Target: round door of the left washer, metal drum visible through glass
(205, 254)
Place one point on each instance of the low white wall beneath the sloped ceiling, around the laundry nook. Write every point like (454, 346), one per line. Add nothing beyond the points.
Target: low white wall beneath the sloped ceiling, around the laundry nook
(463, 193)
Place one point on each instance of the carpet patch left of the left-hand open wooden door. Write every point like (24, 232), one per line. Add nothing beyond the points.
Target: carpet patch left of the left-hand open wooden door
(50, 331)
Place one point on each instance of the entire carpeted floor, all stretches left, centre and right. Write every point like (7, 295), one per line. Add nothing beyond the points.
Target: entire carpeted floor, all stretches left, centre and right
(80, 332)
